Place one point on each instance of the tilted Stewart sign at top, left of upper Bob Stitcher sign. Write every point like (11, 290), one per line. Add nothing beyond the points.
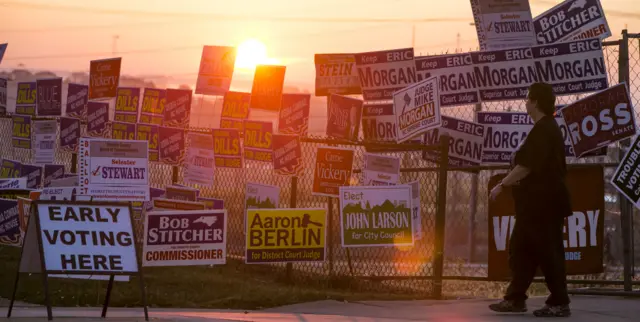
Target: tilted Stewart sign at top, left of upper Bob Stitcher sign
(503, 24)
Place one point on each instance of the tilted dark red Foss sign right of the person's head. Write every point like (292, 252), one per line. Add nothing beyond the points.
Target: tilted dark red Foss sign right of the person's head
(600, 119)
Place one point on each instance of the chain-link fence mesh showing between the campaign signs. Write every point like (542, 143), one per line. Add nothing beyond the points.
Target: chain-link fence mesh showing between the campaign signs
(460, 256)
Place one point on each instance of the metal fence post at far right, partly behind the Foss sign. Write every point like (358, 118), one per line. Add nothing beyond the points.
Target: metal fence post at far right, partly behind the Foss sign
(626, 208)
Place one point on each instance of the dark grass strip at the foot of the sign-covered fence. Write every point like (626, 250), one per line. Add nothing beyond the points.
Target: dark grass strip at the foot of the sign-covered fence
(231, 286)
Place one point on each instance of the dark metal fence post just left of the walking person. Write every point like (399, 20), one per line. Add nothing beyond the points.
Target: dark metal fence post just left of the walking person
(441, 212)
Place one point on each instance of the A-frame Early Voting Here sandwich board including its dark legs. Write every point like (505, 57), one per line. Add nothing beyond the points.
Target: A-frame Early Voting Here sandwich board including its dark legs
(79, 238)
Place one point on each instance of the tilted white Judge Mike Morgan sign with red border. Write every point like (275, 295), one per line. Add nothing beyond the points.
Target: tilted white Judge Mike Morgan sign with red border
(417, 109)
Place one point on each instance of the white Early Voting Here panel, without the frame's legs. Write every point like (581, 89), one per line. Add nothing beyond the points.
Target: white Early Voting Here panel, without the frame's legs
(86, 237)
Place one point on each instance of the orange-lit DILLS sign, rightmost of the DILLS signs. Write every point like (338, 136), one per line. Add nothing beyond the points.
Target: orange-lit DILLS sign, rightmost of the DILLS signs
(258, 137)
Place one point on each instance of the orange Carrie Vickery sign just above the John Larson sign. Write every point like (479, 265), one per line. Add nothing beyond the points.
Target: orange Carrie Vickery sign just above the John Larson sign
(333, 170)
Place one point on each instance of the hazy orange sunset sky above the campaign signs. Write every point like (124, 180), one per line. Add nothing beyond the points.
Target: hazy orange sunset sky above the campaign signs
(163, 37)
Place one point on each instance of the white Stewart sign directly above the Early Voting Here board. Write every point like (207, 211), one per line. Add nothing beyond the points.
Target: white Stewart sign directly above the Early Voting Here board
(114, 170)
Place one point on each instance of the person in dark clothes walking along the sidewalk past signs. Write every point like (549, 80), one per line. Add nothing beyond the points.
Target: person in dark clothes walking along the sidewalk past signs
(541, 198)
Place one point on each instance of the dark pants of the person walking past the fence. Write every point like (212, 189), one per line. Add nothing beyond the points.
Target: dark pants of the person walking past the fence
(537, 242)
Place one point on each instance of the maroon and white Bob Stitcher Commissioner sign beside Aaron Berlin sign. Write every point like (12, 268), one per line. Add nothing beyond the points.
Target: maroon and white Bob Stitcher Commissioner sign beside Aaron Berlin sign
(185, 238)
